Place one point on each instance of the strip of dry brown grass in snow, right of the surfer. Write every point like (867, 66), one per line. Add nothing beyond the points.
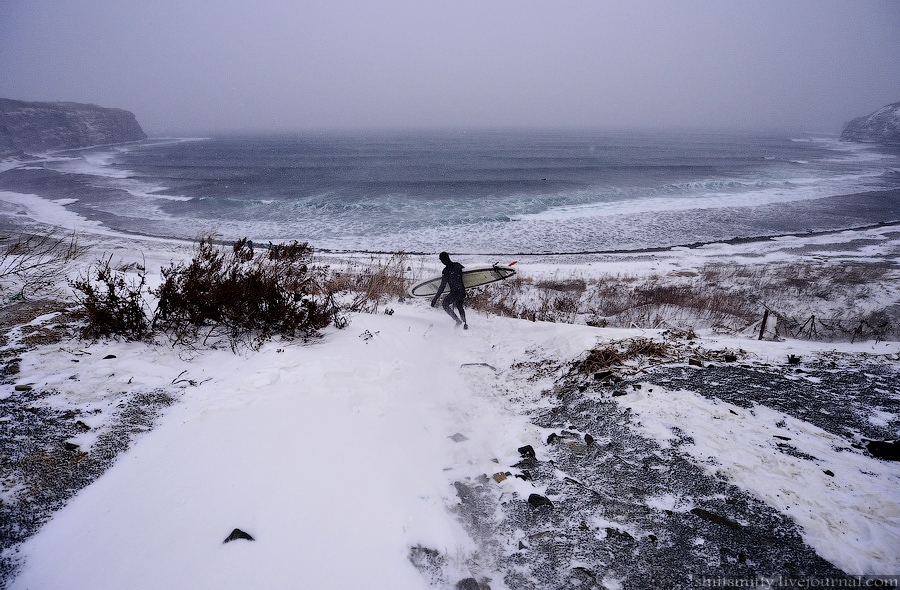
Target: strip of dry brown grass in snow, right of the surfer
(813, 301)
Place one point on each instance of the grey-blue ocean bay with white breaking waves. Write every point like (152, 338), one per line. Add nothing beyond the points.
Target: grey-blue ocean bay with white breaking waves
(474, 192)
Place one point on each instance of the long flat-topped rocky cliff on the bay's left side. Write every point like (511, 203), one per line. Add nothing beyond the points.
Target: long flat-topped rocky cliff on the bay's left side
(46, 126)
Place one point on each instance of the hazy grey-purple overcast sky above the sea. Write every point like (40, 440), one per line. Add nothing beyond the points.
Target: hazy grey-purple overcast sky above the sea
(225, 65)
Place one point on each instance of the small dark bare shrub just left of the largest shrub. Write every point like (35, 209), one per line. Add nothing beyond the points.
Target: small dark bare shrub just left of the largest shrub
(112, 304)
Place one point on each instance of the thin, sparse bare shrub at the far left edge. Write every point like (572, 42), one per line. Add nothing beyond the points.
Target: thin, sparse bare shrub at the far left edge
(35, 263)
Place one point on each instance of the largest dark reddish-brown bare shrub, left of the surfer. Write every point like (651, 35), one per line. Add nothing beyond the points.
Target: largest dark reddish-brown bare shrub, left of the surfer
(244, 298)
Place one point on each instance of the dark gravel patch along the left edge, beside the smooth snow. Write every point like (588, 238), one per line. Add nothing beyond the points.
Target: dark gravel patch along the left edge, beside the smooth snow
(40, 467)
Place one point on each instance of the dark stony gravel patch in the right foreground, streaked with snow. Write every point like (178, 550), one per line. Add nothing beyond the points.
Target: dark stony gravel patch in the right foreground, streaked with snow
(621, 511)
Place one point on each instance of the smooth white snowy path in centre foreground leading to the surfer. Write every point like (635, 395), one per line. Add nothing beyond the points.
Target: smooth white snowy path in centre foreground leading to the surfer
(335, 456)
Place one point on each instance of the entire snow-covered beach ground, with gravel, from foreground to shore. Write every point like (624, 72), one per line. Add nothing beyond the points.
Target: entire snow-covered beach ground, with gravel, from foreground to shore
(401, 453)
